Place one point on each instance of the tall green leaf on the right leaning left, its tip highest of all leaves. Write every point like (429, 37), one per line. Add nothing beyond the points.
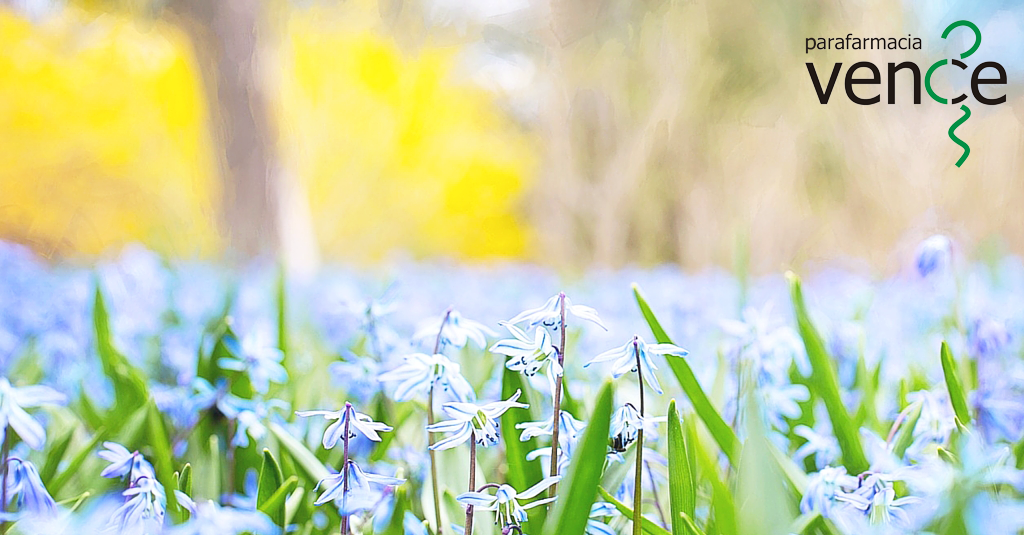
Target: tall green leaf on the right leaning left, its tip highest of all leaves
(825, 384)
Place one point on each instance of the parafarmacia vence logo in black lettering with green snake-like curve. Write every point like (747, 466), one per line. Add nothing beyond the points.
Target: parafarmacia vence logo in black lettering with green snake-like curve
(979, 77)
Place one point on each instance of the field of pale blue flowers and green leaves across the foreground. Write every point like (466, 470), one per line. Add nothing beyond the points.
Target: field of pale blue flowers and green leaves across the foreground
(143, 396)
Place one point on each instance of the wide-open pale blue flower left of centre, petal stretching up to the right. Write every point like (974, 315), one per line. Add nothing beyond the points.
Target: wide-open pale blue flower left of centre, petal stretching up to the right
(471, 420)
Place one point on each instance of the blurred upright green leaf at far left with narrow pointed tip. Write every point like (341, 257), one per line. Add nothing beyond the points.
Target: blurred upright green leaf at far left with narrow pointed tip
(130, 384)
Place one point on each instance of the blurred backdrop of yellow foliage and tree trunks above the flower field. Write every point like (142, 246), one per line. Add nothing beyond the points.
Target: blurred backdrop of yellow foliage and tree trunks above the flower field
(566, 133)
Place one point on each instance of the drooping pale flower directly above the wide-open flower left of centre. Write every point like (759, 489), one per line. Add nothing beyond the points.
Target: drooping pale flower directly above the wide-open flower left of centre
(419, 372)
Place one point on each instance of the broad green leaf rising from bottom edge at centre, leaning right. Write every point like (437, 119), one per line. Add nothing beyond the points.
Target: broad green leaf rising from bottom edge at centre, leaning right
(579, 489)
